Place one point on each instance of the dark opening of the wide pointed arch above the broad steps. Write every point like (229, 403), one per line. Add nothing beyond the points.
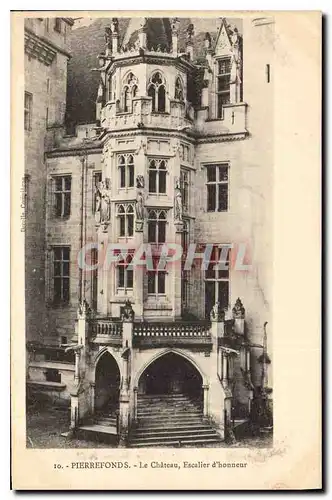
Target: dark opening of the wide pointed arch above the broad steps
(171, 374)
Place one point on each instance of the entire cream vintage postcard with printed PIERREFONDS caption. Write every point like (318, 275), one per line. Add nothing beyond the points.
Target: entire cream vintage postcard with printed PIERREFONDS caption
(165, 205)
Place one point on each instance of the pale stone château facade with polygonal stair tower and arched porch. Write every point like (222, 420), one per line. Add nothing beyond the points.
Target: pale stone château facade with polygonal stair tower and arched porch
(180, 153)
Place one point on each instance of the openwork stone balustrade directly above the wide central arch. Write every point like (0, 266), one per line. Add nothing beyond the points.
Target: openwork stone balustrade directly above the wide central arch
(150, 334)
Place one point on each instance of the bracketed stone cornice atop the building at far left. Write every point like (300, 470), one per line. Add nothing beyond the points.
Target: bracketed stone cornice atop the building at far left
(41, 48)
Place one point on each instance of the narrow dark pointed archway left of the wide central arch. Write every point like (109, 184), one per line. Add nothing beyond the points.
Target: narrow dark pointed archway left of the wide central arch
(107, 384)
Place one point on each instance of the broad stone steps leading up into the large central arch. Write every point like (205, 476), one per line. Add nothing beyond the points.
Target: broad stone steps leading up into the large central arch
(171, 421)
